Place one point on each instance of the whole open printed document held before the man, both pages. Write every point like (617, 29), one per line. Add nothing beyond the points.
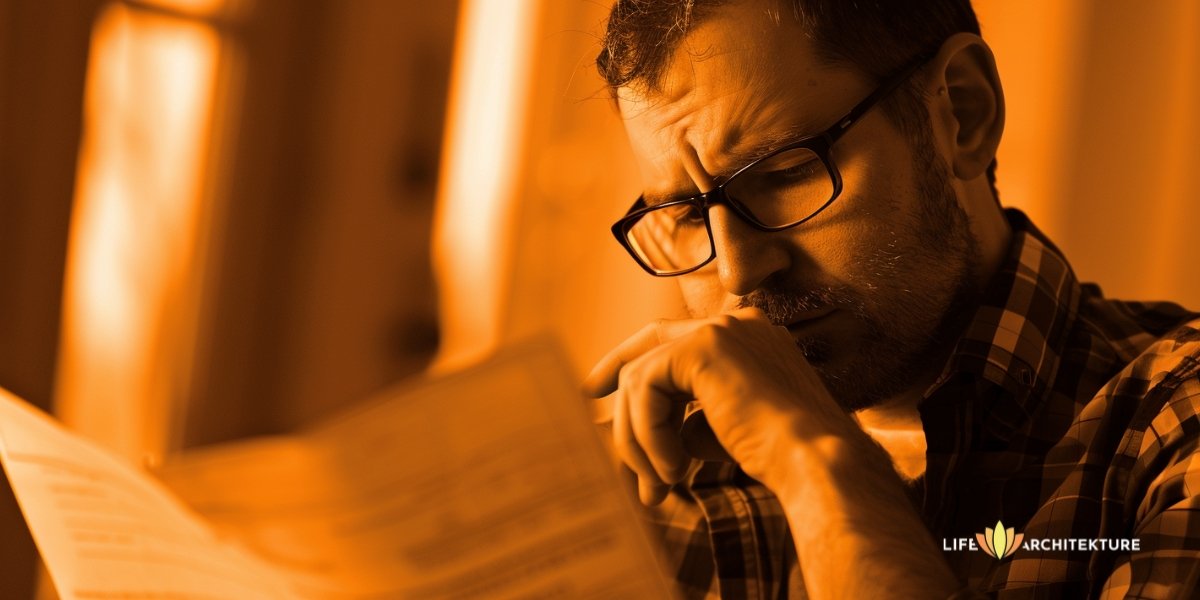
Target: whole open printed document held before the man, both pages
(484, 484)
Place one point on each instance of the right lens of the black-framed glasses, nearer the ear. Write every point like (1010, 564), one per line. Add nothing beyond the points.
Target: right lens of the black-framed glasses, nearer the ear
(784, 189)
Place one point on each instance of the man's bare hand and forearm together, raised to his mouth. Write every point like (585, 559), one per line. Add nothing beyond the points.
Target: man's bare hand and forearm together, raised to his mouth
(770, 410)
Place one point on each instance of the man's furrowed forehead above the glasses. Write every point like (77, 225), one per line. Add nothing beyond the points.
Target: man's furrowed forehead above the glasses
(727, 98)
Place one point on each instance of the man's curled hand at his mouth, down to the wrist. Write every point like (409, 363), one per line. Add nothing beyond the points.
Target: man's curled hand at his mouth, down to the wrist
(760, 395)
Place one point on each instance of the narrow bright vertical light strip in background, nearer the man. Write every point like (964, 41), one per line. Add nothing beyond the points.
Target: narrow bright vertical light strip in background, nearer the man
(484, 146)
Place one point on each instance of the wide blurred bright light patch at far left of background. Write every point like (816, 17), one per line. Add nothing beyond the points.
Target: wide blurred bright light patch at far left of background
(135, 229)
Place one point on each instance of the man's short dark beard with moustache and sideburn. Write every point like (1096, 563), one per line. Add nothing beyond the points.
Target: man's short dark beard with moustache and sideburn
(913, 296)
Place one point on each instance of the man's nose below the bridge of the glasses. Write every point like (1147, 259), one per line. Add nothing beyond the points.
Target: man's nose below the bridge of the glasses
(746, 257)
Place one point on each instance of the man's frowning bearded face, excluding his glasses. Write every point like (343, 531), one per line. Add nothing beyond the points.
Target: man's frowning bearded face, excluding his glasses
(878, 284)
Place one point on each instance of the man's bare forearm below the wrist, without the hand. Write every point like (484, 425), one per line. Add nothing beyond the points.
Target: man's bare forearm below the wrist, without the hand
(856, 532)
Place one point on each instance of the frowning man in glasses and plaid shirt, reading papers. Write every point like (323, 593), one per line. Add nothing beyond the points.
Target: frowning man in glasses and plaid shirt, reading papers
(891, 361)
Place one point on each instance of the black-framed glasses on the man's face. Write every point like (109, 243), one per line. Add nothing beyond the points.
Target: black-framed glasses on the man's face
(779, 191)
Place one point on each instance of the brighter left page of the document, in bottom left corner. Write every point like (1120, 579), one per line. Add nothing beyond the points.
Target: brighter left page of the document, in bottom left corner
(109, 532)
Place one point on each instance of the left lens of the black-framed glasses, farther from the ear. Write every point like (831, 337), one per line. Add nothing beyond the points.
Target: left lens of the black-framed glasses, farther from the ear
(670, 239)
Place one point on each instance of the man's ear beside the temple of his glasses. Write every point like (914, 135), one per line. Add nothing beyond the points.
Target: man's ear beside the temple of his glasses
(968, 104)
